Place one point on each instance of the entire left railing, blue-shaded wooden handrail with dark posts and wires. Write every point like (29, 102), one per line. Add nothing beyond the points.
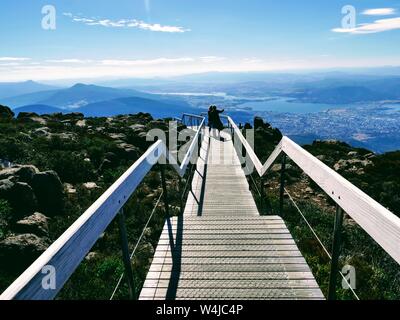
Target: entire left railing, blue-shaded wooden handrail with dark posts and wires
(68, 251)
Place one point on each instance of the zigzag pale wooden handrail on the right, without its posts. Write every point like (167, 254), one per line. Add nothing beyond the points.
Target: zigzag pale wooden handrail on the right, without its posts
(380, 223)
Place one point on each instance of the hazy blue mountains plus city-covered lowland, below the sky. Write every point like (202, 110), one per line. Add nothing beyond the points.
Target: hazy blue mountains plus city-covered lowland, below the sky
(340, 90)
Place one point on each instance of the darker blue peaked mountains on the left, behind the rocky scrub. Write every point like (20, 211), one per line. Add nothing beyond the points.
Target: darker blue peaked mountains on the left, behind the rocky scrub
(97, 101)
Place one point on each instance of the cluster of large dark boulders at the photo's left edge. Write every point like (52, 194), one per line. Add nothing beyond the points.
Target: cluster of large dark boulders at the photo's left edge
(28, 191)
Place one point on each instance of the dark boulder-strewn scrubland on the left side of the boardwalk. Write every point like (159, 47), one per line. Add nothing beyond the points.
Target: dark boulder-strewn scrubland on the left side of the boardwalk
(53, 167)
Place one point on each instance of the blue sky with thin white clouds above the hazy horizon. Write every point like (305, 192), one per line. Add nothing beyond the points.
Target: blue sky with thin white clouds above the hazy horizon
(146, 38)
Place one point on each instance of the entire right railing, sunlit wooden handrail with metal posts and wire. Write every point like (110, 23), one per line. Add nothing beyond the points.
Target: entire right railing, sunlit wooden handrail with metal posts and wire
(379, 223)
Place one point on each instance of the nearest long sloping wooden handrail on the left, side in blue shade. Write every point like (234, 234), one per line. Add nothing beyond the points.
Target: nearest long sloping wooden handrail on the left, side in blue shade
(66, 253)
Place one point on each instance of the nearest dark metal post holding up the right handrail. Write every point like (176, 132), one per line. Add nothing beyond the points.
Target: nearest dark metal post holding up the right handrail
(337, 239)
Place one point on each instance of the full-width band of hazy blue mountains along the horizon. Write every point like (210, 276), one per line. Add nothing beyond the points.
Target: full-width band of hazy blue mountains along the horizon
(335, 88)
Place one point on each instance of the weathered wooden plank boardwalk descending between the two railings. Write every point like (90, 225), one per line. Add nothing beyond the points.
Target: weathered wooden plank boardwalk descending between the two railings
(221, 248)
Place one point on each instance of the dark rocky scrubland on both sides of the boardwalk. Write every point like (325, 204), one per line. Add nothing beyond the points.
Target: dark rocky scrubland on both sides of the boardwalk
(53, 167)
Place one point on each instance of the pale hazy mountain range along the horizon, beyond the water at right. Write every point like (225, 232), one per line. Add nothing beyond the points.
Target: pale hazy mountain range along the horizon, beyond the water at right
(327, 88)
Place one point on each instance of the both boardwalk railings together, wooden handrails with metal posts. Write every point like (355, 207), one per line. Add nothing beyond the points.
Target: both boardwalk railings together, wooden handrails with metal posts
(67, 252)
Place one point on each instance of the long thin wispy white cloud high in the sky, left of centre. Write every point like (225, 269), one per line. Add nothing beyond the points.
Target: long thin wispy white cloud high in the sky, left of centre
(127, 23)
